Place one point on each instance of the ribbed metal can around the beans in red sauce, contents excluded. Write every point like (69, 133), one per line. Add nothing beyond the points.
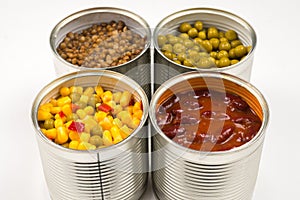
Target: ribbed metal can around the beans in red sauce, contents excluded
(182, 173)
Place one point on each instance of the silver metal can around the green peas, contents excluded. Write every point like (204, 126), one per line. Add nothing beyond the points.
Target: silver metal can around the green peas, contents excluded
(165, 69)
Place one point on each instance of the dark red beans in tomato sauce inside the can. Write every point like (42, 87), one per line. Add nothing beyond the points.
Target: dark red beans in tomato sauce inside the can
(207, 120)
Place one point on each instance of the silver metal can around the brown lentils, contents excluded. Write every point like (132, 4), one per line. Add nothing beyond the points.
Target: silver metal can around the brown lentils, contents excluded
(138, 68)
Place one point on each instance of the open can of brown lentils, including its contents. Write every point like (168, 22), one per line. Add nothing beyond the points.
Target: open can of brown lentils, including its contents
(103, 38)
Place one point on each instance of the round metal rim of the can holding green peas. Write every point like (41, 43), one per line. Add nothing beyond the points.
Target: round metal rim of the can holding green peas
(207, 10)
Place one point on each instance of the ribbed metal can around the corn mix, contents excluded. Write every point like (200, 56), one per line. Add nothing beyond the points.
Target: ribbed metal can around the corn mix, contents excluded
(116, 172)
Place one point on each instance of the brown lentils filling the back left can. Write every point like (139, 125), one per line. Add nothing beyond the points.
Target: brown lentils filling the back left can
(101, 45)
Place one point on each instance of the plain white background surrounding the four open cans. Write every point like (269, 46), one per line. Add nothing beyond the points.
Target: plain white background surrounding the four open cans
(26, 61)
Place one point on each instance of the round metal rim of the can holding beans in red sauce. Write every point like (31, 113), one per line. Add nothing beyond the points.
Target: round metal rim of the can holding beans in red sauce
(194, 74)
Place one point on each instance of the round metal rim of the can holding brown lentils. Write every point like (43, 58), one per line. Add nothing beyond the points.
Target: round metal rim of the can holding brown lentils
(78, 14)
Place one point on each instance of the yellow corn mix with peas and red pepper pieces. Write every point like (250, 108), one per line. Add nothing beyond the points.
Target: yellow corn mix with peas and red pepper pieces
(89, 118)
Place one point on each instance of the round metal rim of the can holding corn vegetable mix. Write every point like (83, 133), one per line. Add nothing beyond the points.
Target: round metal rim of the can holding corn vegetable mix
(55, 83)
